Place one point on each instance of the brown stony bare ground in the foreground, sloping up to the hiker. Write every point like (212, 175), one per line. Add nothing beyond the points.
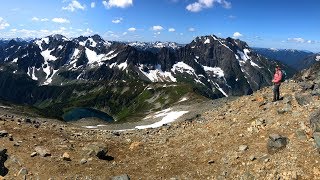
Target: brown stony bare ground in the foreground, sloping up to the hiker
(245, 138)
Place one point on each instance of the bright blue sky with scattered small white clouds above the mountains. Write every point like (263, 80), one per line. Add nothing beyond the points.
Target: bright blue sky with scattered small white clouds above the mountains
(261, 23)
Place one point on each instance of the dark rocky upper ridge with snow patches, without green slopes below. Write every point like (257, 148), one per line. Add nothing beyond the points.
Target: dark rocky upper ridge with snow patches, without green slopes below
(223, 66)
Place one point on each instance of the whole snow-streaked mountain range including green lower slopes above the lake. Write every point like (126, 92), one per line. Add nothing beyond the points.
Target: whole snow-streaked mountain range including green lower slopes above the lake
(59, 72)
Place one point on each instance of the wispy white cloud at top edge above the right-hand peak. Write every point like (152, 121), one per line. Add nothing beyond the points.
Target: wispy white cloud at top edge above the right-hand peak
(202, 4)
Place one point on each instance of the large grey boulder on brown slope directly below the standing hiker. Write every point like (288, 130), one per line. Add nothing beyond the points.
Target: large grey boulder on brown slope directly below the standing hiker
(276, 142)
